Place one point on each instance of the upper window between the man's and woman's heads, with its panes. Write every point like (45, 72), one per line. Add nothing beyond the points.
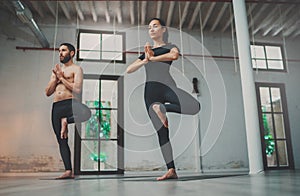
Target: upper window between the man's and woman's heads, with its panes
(101, 46)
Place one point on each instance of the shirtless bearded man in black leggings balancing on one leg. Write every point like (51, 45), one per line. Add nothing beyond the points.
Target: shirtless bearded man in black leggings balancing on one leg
(66, 85)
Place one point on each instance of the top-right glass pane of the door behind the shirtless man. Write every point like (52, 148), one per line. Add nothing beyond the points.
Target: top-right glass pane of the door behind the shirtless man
(109, 89)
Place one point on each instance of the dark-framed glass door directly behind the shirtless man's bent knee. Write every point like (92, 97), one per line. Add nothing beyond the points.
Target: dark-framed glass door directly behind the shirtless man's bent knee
(100, 139)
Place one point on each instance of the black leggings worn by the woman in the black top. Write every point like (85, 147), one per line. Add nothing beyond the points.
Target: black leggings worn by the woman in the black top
(170, 99)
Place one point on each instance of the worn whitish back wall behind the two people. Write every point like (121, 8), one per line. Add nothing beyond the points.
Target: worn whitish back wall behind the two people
(27, 142)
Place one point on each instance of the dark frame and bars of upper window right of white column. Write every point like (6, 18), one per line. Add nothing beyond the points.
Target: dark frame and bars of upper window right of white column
(266, 58)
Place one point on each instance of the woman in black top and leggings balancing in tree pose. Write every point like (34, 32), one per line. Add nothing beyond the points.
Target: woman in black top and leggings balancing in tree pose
(161, 93)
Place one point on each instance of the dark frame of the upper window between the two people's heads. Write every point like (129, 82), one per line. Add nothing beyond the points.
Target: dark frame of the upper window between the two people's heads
(100, 32)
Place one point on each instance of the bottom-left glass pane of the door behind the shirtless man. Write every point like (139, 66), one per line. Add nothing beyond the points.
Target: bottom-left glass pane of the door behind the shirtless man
(89, 157)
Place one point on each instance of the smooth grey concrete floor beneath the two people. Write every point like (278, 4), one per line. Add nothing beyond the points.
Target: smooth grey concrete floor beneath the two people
(273, 183)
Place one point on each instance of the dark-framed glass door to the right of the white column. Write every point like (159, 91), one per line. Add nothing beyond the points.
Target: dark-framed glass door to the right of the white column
(274, 125)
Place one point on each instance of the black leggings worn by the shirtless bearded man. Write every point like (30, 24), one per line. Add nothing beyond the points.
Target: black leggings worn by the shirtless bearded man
(74, 111)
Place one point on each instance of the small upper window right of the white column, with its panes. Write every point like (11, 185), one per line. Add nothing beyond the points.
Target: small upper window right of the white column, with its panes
(267, 57)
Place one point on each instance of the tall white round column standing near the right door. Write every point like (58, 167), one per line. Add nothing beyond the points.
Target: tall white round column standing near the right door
(248, 88)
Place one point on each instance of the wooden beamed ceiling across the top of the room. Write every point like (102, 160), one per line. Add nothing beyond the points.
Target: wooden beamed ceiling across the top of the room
(266, 18)
